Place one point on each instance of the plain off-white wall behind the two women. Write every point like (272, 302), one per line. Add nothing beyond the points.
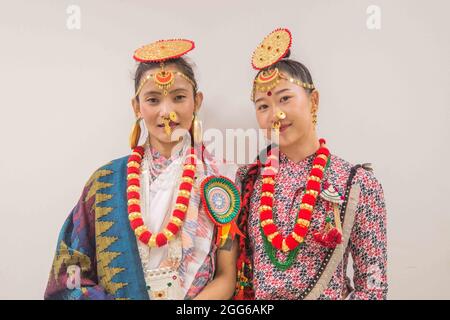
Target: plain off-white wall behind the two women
(65, 110)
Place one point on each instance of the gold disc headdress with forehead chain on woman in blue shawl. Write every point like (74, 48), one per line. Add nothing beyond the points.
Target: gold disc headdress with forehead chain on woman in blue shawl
(161, 51)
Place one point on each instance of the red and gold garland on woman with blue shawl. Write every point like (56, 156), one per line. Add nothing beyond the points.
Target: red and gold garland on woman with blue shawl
(181, 206)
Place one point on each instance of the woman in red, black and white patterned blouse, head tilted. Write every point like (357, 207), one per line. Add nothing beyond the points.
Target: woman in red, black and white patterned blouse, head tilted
(305, 210)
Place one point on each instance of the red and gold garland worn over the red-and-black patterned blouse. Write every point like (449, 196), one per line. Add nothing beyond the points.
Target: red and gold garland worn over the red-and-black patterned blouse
(313, 188)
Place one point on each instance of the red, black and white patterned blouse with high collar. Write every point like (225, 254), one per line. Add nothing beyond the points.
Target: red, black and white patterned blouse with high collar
(367, 244)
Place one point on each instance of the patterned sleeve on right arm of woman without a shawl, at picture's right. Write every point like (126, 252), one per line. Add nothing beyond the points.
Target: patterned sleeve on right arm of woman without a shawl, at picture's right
(368, 243)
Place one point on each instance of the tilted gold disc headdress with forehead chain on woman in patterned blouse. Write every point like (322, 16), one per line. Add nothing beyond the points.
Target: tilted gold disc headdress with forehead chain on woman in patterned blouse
(272, 49)
